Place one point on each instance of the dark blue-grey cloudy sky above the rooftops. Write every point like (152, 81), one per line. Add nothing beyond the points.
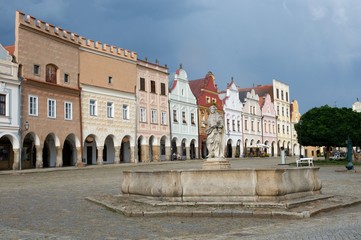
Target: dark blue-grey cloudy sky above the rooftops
(313, 46)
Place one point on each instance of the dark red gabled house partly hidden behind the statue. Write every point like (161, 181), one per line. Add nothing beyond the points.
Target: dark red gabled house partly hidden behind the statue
(206, 92)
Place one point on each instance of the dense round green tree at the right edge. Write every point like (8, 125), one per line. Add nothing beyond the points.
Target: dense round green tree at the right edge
(329, 127)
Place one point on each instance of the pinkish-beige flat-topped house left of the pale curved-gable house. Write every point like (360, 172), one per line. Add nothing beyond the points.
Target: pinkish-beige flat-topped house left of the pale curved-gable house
(153, 128)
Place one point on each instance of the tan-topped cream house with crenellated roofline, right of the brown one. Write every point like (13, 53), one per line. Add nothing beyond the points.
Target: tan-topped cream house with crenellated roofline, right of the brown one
(108, 80)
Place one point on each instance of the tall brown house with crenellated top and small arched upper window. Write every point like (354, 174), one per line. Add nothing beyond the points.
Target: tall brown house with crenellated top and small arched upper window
(48, 59)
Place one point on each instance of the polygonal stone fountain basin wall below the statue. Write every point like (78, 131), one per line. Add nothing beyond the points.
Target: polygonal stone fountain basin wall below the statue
(230, 185)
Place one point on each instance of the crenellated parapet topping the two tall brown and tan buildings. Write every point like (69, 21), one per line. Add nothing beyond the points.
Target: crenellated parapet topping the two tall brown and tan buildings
(24, 20)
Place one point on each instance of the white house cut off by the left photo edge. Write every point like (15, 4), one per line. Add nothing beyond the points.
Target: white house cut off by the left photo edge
(9, 112)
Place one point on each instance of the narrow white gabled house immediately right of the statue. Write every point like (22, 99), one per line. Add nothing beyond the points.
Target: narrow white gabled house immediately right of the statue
(232, 108)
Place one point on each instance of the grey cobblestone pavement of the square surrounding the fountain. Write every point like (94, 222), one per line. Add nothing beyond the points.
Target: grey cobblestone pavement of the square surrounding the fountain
(50, 204)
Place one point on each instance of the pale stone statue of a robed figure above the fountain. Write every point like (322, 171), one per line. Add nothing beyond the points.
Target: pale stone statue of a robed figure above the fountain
(214, 132)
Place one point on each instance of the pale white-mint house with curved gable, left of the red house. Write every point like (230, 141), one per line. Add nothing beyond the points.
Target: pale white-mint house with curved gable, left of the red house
(183, 118)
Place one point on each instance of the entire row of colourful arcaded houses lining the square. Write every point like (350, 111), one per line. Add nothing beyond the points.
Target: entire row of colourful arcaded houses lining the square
(66, 100)
